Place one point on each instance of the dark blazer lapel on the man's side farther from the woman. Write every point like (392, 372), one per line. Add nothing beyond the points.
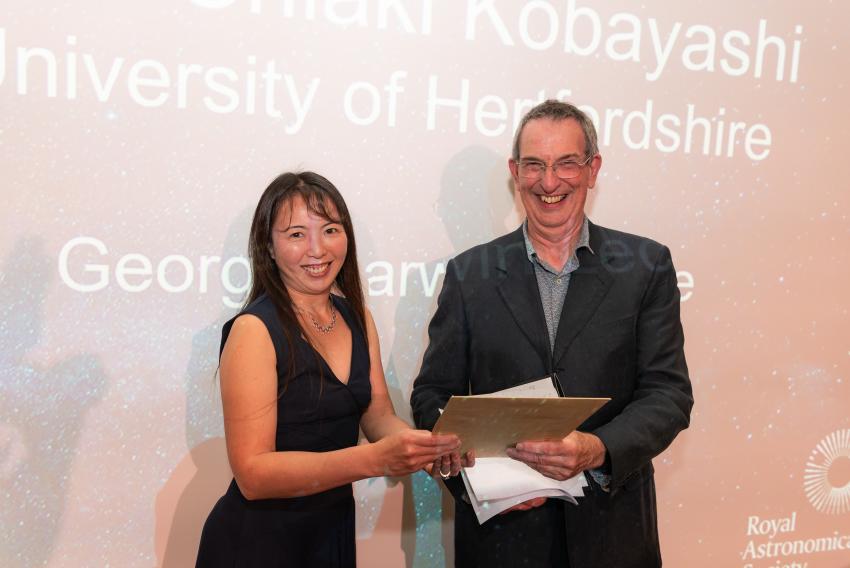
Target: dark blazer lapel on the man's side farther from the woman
(588, 286)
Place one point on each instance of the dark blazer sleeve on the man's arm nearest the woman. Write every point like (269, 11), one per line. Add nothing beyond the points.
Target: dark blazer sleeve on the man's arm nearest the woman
(444, 365)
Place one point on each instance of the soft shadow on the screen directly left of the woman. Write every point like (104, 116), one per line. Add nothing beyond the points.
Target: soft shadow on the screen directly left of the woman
(201, 478)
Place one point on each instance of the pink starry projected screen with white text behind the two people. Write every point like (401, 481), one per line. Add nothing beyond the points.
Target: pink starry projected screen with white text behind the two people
(161, 131)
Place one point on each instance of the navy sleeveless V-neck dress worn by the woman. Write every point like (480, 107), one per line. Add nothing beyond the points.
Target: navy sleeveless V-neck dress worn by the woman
(315, 413)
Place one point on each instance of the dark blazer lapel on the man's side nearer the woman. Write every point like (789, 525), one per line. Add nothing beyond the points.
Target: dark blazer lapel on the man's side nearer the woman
(519, 291)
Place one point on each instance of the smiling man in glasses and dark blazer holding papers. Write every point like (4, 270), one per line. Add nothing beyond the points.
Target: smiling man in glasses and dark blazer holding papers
(595, 308)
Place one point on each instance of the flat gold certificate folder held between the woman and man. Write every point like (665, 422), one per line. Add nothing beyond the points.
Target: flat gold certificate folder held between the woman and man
(489, 424)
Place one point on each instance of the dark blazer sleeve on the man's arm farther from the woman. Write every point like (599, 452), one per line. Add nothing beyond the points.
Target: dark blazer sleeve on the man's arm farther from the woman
(662, 399)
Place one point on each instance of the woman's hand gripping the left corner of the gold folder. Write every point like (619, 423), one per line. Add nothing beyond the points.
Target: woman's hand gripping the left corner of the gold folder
(408, 451)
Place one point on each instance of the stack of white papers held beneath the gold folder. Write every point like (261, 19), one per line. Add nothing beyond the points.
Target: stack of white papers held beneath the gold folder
(497, 484)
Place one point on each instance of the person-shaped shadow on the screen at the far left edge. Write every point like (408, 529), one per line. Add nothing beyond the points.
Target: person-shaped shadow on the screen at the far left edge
(42, 411)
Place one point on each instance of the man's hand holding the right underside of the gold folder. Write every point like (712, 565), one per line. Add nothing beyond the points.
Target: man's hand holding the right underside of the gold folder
(564, 458)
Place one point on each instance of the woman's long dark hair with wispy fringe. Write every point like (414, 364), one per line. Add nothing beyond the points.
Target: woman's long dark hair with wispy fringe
(317, 193)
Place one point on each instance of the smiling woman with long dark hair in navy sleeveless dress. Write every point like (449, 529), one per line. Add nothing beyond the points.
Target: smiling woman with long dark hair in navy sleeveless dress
(300, 374)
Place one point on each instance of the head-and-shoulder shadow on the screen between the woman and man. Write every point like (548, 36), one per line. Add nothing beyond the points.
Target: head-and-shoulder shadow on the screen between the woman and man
(476, 203)
